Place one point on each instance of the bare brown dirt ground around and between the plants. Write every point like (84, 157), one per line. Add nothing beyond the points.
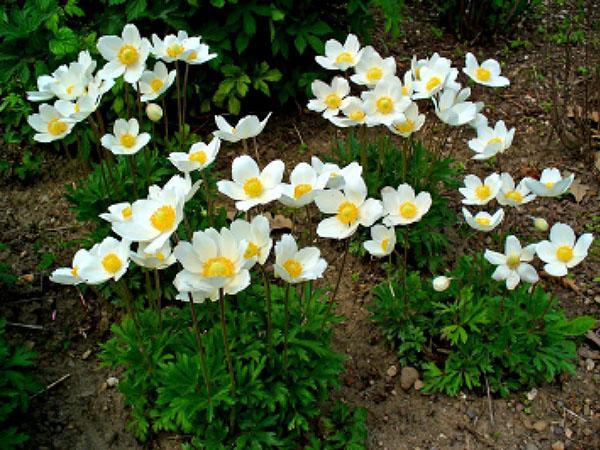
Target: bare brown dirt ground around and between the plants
(83, 412)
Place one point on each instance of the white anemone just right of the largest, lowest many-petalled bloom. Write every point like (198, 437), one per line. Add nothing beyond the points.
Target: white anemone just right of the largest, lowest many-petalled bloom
(295, 266)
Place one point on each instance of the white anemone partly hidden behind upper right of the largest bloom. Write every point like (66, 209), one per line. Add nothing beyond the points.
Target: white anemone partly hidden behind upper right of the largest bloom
(257, 236)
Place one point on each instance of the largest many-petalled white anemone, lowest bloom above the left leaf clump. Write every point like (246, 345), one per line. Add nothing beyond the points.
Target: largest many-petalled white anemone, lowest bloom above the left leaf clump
(213, 260)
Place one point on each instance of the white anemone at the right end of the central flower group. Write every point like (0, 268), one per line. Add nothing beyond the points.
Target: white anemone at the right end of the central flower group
(402, 207)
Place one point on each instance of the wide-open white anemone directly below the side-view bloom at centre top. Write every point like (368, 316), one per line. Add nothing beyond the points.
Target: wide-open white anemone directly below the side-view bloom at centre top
(250, 186)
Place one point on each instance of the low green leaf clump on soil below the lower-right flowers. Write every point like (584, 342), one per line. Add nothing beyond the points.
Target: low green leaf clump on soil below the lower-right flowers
(476, 331)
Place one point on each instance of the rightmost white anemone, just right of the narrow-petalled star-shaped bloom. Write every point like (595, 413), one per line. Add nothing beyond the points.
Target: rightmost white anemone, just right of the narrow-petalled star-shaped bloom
(563, 251)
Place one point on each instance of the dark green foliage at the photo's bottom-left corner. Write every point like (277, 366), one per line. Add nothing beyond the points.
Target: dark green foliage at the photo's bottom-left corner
(16, 386)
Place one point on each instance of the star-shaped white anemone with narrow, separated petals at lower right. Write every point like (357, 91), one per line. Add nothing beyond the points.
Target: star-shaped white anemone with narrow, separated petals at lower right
(513, 264)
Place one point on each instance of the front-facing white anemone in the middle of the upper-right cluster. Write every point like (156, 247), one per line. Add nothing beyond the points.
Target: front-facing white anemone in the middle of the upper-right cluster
(385, 103)
